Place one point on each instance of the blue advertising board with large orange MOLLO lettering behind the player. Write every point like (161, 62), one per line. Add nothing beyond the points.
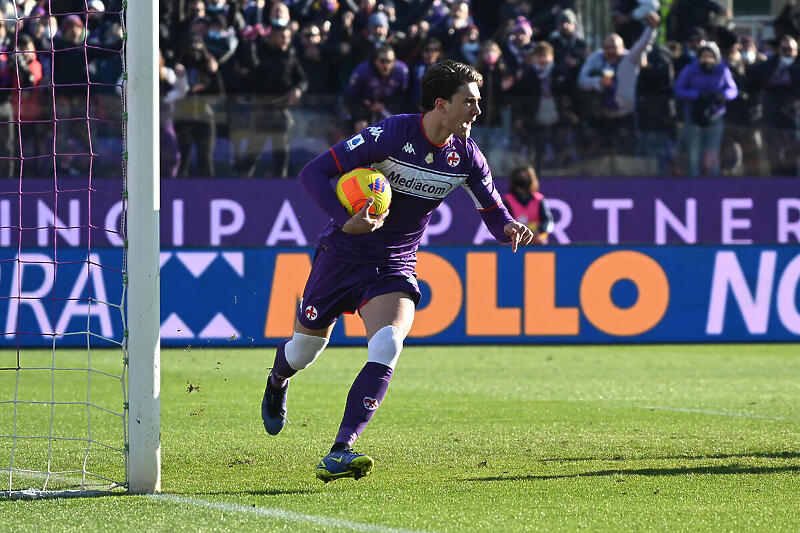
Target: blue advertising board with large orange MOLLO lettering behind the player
(470, 295)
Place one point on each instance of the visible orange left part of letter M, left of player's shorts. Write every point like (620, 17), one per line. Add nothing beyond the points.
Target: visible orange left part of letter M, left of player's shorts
(288, 281)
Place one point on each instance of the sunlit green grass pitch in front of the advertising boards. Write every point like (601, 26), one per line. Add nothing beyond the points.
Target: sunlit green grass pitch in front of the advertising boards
(600, 438)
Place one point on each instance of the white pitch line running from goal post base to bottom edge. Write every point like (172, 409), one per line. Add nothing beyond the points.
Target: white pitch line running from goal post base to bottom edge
(280, 514)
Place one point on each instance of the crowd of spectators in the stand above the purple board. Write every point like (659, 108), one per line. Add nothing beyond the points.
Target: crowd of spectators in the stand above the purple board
(675, 90)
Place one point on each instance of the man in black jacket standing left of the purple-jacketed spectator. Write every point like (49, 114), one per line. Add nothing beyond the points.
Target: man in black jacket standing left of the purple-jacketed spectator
(277, 81)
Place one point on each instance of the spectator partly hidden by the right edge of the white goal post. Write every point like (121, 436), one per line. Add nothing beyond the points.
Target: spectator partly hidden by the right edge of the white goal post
(173, 87)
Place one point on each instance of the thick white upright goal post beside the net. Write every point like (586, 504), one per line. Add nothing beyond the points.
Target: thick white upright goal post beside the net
(142, 234)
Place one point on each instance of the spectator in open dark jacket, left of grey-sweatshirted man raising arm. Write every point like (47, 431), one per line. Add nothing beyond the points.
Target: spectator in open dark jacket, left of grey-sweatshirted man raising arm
(543, 105)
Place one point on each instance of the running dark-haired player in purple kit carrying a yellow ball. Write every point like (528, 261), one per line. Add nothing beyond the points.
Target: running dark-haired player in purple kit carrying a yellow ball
(367, 263)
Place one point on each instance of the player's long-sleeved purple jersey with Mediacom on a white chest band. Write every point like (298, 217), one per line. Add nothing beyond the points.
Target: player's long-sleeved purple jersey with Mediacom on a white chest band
(420, 173)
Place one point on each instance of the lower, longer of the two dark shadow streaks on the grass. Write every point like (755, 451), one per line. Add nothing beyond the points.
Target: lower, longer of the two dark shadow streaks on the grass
(653, 472)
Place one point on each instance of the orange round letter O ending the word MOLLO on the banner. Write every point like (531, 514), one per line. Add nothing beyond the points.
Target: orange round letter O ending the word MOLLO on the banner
(650, 306)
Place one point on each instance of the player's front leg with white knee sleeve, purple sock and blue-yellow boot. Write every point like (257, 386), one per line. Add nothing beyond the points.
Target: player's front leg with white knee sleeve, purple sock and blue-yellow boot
(387, 319)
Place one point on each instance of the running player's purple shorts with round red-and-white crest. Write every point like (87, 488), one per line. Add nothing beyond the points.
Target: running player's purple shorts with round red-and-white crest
(336, 286)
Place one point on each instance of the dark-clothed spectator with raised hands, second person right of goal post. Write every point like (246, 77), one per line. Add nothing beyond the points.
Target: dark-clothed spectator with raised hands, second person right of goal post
(195, 124)
